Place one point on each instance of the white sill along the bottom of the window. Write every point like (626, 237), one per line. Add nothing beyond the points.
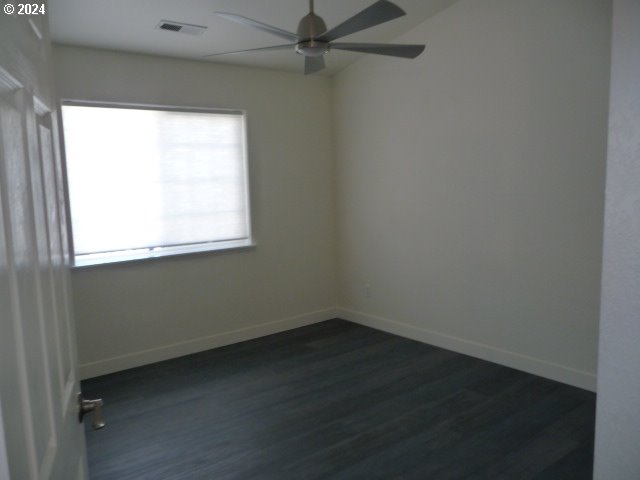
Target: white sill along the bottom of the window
(125, 257)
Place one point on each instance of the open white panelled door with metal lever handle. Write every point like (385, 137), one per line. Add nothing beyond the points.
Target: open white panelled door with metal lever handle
(42, 438)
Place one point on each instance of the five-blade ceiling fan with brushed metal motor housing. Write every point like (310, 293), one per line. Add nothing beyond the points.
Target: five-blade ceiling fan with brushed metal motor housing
(313, 40)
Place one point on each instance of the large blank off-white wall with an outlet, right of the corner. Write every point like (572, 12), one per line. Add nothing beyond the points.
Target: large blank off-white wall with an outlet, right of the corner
(470, 184)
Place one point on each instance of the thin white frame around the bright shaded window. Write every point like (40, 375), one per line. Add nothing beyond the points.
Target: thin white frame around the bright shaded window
(167, 251)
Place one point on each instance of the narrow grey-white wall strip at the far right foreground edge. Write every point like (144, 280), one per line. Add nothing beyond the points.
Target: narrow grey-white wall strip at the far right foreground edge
(617, 452)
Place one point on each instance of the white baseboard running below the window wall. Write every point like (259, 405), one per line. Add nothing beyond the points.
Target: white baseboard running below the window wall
(166, 352)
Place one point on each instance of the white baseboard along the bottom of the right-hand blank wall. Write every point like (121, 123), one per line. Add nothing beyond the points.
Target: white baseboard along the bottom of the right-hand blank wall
(536, 366)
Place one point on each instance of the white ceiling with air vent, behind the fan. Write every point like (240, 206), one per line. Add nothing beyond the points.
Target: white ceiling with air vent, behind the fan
(130, 26)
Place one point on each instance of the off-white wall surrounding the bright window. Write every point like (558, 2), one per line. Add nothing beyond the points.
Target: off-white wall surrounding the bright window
(141, 312)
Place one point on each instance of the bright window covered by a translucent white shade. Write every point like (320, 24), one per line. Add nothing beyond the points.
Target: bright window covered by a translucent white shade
(146, 182)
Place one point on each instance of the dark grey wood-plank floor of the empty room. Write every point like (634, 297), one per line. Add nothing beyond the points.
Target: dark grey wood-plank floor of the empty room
(338, 401)
